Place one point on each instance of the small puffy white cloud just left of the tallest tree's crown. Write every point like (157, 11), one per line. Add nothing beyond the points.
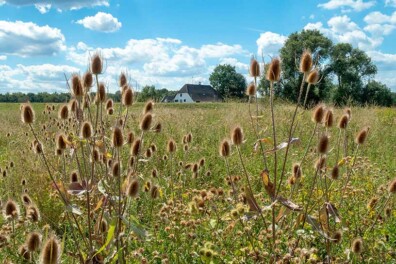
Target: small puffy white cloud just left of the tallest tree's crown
(269, 43)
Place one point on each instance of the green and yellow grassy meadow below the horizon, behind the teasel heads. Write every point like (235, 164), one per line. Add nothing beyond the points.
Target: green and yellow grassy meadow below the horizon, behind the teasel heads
(186, 211)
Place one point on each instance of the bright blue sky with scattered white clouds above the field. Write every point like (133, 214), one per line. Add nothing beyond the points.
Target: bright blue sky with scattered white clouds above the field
(168, 43)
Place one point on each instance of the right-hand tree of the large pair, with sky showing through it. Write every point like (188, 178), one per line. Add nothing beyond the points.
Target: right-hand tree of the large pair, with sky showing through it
(352, 67)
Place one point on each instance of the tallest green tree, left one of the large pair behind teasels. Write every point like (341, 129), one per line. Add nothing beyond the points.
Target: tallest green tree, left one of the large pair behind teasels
(290, 53)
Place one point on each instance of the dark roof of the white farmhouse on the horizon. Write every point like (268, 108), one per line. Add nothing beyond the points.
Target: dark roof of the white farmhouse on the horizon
(201, 93)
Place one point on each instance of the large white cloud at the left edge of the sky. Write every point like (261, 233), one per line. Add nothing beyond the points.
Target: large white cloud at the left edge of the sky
(28, 39)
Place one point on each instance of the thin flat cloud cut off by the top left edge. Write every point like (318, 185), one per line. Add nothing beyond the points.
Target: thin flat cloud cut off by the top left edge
(45, 5)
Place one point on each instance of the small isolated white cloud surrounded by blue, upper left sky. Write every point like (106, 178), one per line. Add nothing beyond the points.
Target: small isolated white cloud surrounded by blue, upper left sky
(101, 22)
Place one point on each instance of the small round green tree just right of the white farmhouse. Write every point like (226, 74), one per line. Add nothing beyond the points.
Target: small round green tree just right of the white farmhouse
(227, 82)
